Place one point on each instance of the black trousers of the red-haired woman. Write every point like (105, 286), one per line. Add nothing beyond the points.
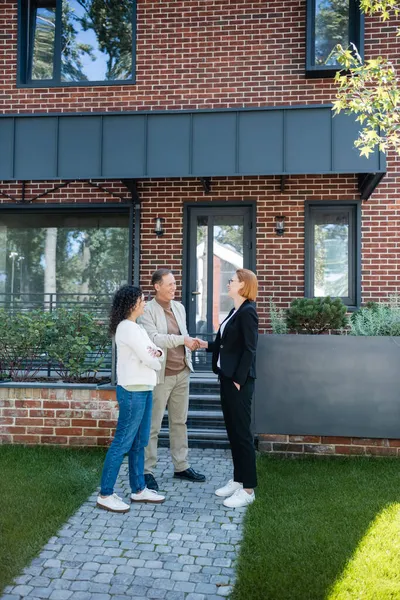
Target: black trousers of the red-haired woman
(236, 407)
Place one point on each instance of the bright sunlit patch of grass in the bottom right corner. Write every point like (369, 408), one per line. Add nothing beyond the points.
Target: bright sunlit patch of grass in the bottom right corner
(374, 570)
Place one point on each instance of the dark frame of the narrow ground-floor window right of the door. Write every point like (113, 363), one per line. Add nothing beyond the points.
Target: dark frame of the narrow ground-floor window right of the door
(354, 208)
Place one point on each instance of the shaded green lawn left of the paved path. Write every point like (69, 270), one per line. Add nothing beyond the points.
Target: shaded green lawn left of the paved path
(41, 487)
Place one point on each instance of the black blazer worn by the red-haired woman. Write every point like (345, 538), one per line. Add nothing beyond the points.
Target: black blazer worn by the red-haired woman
(237, 346)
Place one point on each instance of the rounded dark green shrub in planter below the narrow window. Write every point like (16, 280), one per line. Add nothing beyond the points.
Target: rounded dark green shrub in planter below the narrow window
(316, 315)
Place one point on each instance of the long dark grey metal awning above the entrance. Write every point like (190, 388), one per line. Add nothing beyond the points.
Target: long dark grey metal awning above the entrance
(137, 145)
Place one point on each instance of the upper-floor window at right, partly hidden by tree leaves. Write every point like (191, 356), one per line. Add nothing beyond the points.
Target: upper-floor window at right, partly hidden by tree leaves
(331, 22)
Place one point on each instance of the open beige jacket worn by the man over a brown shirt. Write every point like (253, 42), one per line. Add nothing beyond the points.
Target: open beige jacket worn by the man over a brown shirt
(155, 323)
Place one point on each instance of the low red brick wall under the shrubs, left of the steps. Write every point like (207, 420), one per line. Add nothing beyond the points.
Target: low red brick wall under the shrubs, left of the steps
(66, 417)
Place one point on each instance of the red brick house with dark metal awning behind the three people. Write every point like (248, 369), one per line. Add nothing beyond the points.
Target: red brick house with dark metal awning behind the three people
(197, 135)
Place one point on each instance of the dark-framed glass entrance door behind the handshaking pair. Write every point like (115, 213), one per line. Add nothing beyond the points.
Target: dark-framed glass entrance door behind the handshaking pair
(219, 243)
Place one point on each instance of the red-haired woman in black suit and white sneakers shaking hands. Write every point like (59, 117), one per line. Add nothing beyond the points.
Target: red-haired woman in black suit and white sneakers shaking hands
(234, 360)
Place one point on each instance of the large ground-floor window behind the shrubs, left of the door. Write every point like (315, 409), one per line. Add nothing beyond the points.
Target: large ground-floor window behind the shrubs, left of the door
(65, 253)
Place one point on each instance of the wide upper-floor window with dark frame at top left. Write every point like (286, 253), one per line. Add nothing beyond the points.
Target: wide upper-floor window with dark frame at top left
(76, 42)
